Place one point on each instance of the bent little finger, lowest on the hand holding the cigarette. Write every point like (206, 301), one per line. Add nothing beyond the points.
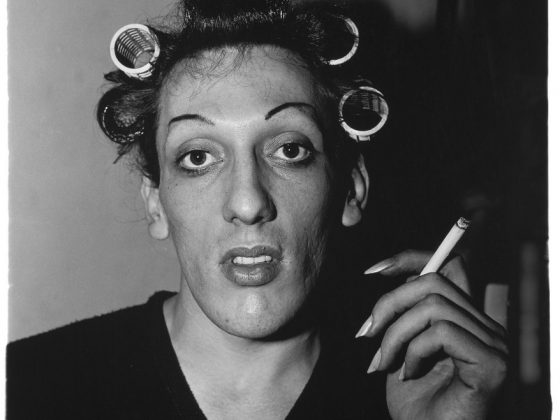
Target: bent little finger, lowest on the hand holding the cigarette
(478, 366)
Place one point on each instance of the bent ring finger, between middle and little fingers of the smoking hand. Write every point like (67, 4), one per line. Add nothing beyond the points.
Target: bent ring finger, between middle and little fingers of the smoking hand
(431, 310)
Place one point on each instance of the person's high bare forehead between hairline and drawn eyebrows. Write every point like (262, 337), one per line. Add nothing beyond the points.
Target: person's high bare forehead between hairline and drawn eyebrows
(230, 83)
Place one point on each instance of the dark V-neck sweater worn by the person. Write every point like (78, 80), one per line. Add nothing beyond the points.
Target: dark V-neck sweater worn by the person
(122, 366)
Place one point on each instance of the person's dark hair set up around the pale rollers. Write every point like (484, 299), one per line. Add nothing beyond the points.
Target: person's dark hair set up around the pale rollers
(311, 32)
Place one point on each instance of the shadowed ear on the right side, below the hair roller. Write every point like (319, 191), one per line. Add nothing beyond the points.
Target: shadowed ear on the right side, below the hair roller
(356, 199)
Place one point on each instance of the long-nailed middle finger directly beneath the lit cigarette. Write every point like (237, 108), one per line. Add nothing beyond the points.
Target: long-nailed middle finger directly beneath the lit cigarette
(401, 299)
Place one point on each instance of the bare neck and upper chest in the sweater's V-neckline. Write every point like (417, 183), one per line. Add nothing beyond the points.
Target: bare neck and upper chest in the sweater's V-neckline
(234, 377)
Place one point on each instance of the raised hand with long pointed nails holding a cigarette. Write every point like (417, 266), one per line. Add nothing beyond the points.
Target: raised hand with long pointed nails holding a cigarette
(445, 359)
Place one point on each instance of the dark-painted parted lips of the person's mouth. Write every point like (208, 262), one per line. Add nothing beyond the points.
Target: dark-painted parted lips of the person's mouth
(252, 275)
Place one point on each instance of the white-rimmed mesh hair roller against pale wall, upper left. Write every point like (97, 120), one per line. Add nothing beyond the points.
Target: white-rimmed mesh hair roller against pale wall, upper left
(134, 50)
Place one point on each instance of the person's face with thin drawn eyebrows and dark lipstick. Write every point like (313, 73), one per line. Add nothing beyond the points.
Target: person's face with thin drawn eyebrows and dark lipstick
(246, 187)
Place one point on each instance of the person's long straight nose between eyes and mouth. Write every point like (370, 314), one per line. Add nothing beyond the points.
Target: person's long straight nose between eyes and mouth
(248, 200)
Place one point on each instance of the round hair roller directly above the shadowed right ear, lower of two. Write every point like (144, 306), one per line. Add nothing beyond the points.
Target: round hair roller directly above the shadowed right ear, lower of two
(363, 111)
